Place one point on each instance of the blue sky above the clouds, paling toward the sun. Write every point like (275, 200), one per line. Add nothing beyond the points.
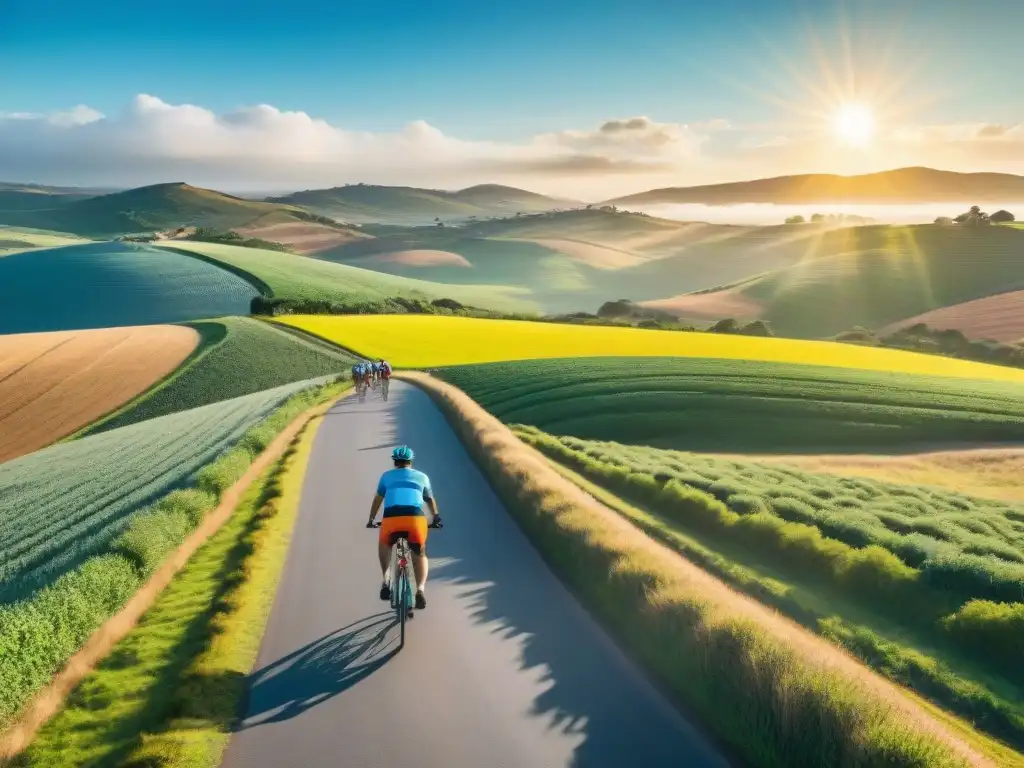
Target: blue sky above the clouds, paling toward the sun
(506, 72)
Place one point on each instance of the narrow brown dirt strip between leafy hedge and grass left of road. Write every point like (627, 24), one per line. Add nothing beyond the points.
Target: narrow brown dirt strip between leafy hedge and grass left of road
(49, 702)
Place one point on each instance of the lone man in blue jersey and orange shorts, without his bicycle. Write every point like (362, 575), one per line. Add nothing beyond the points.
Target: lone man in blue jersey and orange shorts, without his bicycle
(404, 491)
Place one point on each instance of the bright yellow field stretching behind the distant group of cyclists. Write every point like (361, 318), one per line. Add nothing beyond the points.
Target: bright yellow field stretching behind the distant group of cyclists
(419, 342)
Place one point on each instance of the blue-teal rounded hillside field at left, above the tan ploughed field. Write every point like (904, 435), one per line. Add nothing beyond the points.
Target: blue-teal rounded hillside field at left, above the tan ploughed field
(104, 285)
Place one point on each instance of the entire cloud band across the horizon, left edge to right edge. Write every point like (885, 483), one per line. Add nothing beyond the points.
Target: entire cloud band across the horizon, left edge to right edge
(264, 147)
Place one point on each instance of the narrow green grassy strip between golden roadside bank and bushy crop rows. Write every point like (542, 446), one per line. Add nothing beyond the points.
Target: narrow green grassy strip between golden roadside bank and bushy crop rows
(901, 663)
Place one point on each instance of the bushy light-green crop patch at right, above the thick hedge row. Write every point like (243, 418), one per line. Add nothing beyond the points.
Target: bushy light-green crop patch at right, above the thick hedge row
(965, 543)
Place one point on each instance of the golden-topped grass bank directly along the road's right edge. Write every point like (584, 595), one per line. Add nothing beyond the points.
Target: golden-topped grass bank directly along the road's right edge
(780, 696)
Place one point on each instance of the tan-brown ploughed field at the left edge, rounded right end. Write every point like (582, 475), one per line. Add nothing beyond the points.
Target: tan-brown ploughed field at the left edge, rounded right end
(54, 383)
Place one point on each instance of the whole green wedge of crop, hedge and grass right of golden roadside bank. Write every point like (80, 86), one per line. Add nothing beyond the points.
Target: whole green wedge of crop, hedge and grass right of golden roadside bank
(919, 582)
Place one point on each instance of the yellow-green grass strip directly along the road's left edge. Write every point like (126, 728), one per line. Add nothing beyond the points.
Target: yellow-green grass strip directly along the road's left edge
(167, 694)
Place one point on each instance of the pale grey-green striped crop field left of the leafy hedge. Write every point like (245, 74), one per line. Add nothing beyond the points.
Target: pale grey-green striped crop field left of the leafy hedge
(61, 505)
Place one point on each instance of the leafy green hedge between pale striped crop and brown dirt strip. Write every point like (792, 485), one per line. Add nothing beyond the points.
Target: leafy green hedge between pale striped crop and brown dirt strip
(39, 635)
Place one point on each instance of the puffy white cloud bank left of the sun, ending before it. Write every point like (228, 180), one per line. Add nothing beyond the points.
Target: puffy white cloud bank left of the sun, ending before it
(262, 146)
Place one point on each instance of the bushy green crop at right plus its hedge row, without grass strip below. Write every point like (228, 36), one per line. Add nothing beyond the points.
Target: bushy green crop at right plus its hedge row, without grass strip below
(838, 533)
